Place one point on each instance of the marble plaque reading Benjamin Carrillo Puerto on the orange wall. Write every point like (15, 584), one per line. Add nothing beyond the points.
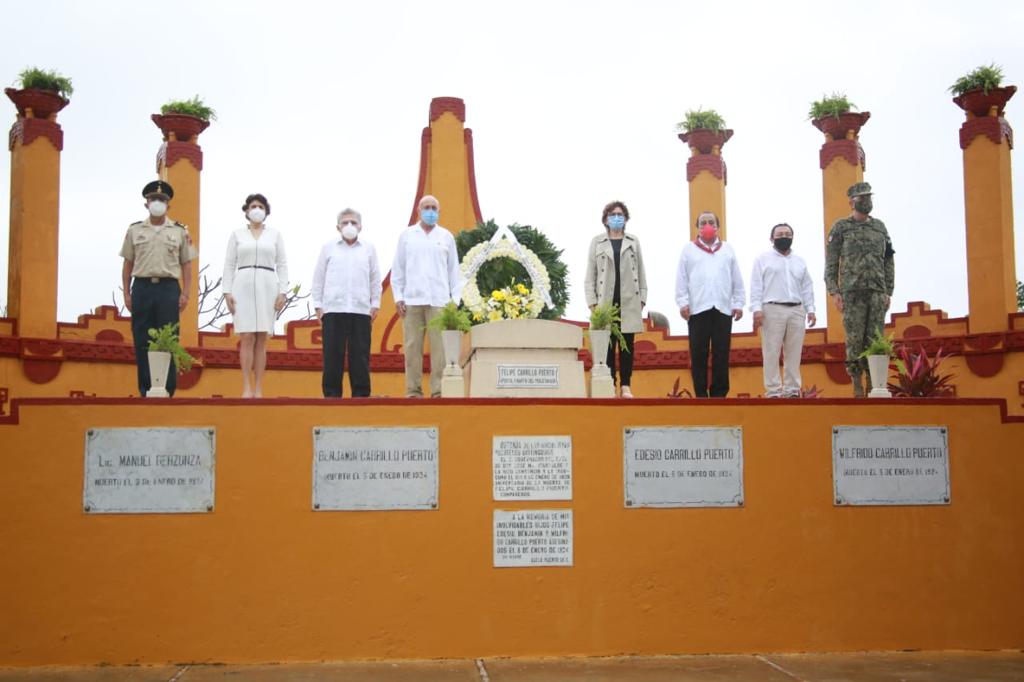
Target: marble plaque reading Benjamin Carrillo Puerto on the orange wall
(375, 468)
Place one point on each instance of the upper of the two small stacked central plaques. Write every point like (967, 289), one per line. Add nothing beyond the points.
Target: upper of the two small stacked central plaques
(533, 467)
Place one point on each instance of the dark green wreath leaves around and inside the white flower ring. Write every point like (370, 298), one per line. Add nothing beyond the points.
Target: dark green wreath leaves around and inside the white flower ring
(498, 273)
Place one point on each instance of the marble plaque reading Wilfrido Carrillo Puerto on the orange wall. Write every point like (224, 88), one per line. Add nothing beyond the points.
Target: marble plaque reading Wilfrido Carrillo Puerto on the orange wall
(891, 465)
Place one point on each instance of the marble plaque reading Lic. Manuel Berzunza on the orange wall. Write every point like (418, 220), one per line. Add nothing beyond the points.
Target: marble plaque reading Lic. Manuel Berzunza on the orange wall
(150, 471)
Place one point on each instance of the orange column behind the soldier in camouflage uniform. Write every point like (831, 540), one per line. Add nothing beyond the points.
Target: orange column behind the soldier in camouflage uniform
(842, 162)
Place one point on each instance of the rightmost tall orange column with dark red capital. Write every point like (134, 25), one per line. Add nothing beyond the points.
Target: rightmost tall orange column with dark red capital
(987, 140)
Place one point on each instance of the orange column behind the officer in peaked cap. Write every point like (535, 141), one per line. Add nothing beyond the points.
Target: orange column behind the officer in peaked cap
(180, 161)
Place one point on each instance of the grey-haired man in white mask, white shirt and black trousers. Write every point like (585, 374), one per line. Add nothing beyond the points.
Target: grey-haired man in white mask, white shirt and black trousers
(347, 295)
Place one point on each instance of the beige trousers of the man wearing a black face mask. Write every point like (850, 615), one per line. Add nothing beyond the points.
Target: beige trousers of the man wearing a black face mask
(783, 331)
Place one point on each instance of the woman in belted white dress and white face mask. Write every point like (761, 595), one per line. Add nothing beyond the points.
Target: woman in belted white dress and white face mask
(255, 283)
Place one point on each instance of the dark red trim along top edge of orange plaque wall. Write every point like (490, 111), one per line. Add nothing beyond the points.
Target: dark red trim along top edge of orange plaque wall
(686, 405)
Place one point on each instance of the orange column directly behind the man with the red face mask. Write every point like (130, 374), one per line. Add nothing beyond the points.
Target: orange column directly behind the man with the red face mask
(707, 177)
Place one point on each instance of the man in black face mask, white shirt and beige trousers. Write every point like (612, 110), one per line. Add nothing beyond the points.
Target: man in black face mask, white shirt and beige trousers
(783, 302)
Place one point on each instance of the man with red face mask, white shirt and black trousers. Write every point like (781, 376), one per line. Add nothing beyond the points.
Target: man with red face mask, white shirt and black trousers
(710, 294)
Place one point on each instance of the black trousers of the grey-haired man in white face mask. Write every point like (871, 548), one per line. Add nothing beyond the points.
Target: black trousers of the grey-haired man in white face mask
(347, 333)
